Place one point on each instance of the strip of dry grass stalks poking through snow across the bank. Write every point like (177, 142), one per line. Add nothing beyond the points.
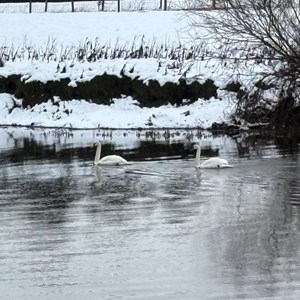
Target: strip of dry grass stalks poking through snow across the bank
(138, 48)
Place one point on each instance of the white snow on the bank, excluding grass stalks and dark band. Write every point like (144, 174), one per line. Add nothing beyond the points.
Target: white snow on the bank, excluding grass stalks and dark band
(61, 31)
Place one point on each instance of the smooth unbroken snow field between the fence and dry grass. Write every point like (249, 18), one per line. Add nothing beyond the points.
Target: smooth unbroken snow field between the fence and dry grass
(73, 28)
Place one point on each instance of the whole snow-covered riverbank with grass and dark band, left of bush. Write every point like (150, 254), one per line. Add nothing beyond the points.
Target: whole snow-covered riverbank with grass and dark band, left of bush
(110, 73)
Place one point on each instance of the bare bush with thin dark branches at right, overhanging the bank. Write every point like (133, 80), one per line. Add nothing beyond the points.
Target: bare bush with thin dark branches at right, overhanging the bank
(272, 28)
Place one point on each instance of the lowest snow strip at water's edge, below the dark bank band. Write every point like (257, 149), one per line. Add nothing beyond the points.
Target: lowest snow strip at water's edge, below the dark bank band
(122, 113)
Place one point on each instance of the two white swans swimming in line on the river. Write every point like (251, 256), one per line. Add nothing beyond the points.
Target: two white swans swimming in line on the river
(116, 160)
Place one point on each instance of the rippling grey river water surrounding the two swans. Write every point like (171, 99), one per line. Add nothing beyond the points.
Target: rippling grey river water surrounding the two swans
(70, 230)
